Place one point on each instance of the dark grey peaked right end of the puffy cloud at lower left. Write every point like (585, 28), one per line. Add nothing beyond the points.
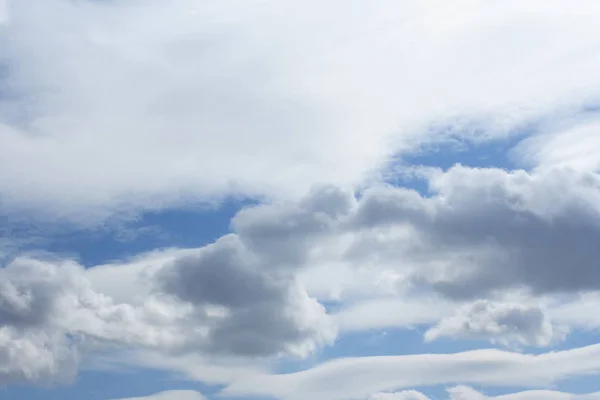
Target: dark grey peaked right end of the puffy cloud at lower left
(266, 313)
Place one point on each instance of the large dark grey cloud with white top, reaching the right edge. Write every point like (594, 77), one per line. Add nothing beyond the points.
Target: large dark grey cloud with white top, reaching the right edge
(477, 233)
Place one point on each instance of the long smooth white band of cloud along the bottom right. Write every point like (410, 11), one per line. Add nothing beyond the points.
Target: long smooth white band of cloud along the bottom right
(358, 378)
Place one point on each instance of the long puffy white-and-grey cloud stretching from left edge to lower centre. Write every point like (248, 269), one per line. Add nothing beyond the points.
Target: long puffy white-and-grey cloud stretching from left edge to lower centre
(47, 309)
